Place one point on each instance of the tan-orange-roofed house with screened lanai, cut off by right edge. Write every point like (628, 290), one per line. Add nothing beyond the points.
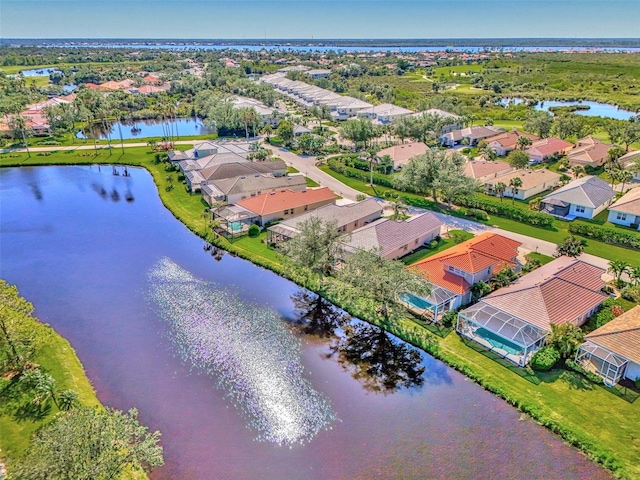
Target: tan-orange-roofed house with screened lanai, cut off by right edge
(613, 350)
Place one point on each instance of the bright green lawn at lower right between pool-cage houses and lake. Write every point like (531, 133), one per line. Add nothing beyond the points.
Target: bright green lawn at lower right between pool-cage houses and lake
(593, 416)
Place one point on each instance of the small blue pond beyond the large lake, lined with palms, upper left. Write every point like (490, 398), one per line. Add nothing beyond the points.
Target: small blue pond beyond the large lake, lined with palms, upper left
(149, 128)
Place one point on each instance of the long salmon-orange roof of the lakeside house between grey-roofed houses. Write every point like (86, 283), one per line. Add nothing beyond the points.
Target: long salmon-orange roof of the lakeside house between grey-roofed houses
(280, 200)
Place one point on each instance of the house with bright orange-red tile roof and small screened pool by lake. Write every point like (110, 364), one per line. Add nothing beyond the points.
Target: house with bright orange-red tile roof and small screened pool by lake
(452, 272)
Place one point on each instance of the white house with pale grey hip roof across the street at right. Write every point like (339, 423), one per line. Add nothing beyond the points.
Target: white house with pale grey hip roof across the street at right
(584, 197)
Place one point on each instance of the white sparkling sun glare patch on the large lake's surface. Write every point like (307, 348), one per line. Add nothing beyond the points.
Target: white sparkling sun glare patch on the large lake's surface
(247, 349)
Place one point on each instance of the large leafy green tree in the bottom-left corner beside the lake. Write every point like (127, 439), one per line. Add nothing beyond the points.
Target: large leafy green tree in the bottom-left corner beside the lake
(90, 444)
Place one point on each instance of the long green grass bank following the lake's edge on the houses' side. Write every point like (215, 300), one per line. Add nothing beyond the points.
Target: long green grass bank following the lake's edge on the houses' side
(608, 431)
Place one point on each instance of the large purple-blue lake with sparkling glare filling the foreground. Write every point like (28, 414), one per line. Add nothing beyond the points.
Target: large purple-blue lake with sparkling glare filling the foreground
(203, 346)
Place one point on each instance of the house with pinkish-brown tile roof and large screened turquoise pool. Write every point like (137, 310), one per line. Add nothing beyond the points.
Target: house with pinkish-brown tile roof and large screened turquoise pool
(514, 321)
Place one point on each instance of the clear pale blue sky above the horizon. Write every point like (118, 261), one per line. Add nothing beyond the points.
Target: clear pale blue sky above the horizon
(319, 18)
